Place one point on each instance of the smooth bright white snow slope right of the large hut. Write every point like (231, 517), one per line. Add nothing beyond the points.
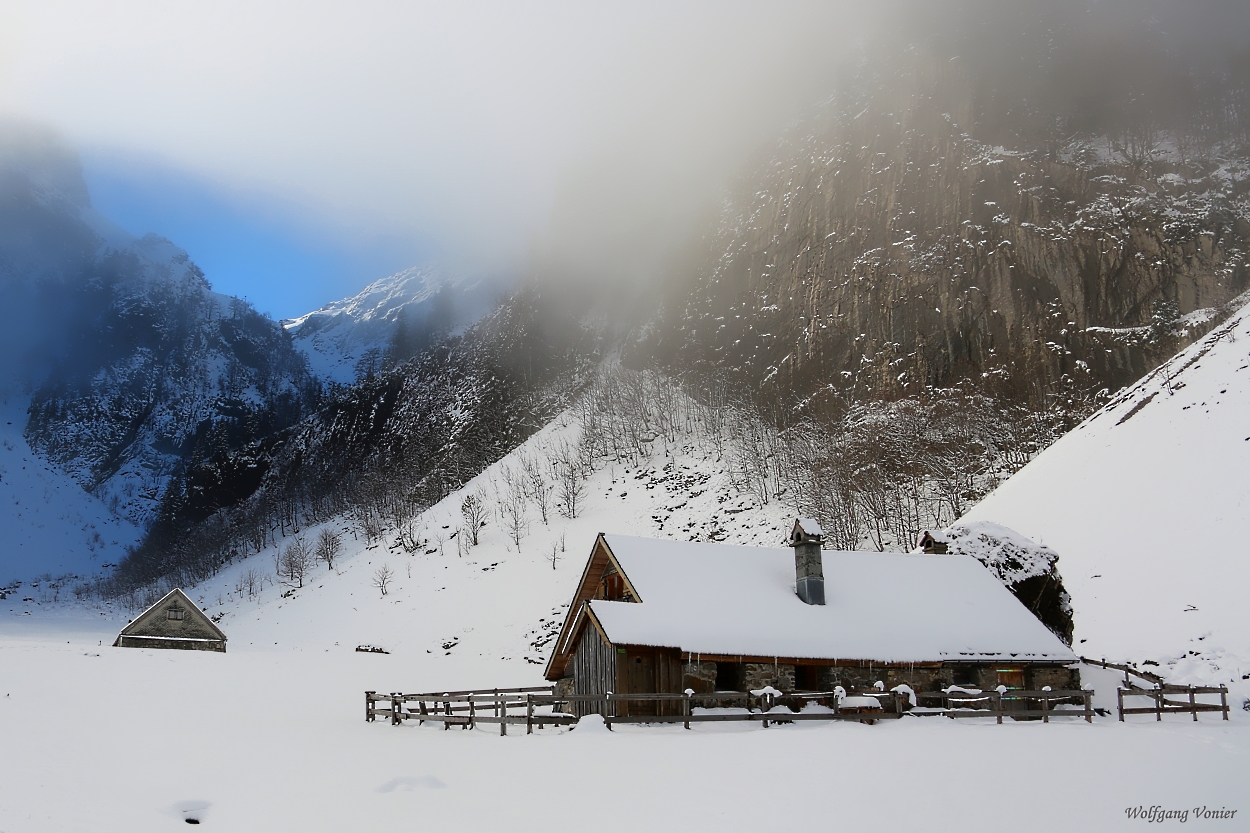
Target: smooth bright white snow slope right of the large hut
(1148, 505)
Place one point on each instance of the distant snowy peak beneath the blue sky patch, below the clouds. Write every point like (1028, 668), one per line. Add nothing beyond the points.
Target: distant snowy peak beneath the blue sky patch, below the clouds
(348, 338)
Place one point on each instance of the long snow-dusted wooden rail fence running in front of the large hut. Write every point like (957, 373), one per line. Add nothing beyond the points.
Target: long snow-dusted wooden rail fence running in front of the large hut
(544, 706)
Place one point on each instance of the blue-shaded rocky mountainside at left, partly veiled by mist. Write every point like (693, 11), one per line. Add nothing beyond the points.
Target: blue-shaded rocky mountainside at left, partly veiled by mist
(133, 366)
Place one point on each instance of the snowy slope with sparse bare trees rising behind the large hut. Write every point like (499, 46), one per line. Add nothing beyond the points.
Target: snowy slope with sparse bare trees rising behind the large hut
(497, 602)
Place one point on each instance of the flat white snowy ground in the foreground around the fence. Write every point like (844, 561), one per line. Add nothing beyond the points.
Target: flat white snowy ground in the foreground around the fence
(273, 739)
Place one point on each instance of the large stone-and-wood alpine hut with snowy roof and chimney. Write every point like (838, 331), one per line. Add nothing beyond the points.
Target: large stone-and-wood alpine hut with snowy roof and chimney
(664, 616)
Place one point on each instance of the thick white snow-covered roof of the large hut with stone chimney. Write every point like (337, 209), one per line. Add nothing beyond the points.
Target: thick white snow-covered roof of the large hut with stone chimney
(887, 607)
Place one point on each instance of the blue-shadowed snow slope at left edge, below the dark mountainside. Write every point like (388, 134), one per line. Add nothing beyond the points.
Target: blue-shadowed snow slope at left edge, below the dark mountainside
(52, 527)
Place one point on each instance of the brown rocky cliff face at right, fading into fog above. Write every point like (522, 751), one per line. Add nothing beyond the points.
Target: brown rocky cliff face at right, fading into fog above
(886, 246)
